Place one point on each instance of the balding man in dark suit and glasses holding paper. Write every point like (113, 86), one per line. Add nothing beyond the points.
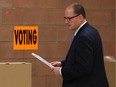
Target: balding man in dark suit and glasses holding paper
(84, 64)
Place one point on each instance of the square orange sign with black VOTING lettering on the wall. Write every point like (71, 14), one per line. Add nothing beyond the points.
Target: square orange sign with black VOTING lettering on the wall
(25, 37)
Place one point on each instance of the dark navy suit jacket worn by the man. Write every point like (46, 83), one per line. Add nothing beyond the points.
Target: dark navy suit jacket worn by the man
(84, 64)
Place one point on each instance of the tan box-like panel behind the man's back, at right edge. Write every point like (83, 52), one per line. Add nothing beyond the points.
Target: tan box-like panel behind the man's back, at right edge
(111, 73)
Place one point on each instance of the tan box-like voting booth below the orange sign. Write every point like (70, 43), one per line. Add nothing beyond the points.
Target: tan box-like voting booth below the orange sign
(15, 74)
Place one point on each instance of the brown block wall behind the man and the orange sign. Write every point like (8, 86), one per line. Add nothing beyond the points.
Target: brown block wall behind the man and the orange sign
(54, 37)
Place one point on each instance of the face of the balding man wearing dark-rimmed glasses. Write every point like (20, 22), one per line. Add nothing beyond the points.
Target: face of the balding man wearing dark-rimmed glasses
(71, 19)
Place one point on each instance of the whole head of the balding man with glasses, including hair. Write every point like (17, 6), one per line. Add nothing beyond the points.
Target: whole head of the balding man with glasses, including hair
(74, 15)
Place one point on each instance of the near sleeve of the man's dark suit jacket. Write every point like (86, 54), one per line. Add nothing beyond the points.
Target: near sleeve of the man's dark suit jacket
(83, 60)
